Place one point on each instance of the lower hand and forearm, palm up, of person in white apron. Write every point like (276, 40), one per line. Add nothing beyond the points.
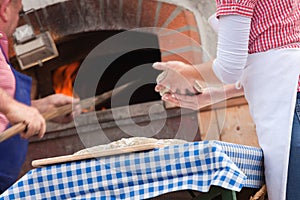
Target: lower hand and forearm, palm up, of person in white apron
(208, 97)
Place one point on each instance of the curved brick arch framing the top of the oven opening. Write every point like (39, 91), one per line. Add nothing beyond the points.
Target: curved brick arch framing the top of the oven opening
(181, 40)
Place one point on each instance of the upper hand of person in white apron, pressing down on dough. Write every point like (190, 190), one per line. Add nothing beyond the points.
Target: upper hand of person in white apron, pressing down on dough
(177, 77)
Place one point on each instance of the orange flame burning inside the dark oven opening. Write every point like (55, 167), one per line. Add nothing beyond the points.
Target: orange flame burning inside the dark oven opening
(64, 77)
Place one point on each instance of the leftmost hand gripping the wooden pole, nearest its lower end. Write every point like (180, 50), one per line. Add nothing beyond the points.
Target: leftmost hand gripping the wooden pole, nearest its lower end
(35, 123)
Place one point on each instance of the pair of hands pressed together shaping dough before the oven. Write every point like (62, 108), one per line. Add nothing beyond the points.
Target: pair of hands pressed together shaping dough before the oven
(182, 85)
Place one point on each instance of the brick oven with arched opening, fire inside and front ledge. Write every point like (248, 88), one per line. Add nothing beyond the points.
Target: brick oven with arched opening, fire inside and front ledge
(78, 27)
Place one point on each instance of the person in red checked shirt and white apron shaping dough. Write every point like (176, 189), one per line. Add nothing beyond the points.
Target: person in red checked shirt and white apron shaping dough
(259, 49)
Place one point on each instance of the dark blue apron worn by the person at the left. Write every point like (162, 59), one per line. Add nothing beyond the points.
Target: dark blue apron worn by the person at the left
(13, 151)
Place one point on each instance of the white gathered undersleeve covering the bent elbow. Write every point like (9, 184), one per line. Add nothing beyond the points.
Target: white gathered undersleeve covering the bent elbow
(233, 39)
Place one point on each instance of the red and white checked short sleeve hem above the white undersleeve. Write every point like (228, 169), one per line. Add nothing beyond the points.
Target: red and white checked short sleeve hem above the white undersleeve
(235, 7)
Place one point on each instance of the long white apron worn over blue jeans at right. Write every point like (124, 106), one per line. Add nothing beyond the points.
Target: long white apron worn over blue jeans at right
(270, 83)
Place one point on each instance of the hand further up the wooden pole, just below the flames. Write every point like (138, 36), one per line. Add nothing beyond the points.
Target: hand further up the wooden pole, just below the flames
(56, 100)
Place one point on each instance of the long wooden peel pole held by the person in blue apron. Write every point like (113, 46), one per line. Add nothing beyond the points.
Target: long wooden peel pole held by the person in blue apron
(63, 110)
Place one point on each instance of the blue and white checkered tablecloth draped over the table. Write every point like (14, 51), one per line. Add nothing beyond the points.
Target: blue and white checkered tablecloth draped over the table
(142, 175)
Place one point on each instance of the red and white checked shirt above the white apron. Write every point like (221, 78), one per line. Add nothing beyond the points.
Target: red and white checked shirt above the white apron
(274, 23)
